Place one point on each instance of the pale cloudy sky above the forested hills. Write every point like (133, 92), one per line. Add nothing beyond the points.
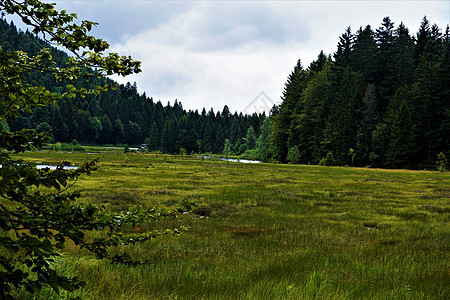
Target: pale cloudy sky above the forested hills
(235, 53)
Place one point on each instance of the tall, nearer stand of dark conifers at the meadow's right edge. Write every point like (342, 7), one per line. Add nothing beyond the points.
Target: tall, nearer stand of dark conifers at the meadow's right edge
(382, 99)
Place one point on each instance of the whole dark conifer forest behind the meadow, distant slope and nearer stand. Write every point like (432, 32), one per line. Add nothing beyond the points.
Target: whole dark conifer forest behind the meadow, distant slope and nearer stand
(382, 99)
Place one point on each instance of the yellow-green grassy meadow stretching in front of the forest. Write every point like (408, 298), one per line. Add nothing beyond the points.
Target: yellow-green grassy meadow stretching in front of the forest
(268, 231)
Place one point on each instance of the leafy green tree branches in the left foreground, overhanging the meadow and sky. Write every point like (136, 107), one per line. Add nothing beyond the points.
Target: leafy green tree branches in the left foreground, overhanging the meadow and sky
(38, 214)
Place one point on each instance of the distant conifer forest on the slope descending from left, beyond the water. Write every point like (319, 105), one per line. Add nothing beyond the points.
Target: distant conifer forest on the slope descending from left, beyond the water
(123, 115)
